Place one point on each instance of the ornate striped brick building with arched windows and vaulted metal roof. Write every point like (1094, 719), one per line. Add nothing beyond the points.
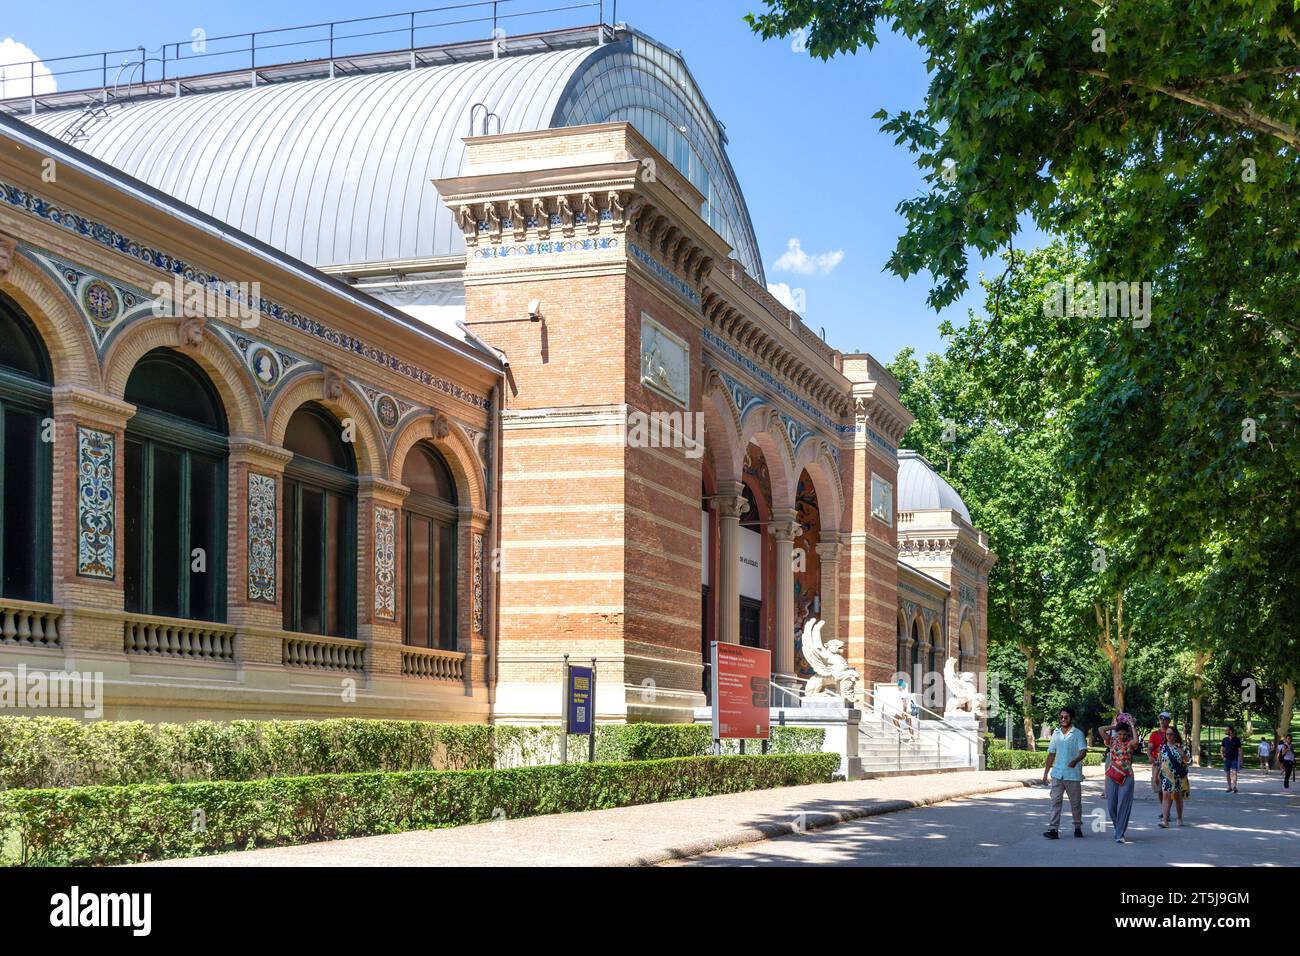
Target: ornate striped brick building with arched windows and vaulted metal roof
(375, 395)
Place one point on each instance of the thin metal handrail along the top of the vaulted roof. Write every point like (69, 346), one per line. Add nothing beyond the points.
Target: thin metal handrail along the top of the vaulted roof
(99, 60)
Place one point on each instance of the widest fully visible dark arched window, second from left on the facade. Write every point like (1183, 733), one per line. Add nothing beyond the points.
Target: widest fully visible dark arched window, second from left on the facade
(175, 491)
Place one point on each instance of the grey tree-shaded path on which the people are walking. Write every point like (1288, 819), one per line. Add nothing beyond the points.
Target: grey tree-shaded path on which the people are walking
(1259, 827)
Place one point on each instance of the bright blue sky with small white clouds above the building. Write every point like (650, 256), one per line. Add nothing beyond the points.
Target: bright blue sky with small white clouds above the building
(812, 162)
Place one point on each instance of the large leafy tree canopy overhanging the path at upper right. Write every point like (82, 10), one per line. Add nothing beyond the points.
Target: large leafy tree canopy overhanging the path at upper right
(1160, 141)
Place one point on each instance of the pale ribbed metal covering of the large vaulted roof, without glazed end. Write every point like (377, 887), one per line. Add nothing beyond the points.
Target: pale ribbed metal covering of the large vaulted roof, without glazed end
(330, 171)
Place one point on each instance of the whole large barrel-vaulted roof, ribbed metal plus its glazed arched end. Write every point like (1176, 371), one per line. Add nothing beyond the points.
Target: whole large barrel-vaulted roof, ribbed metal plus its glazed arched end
(339, 171)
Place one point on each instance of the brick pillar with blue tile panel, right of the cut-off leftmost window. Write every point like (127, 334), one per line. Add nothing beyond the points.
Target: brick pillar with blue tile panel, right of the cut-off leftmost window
(89, 504)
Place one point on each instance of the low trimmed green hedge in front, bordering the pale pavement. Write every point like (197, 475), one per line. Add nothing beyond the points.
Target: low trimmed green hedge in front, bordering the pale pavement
(116, 825)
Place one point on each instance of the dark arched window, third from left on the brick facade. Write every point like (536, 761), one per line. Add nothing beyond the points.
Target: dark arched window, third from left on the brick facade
(320, 526)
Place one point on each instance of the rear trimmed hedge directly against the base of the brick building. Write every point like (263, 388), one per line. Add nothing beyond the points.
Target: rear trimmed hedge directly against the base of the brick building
(41, 752)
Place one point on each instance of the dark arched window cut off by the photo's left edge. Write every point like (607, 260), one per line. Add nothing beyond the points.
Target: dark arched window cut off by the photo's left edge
(25, 457)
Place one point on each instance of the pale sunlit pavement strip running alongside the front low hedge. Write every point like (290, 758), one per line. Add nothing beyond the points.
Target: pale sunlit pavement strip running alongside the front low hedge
(639, 836)
